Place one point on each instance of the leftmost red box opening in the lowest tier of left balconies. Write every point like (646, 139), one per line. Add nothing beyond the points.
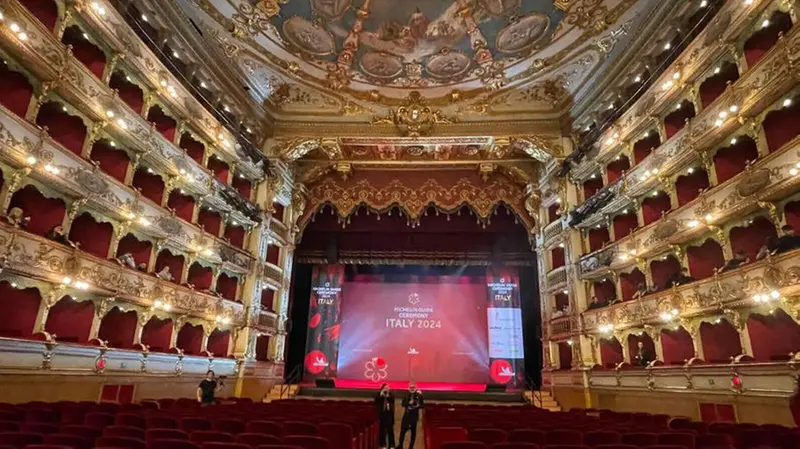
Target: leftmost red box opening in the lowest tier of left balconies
(20, 307)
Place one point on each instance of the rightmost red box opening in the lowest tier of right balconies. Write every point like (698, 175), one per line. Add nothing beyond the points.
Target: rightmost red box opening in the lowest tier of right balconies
(773, 336)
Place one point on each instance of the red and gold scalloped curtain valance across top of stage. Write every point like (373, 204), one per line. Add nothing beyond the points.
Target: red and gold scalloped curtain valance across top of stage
(414, 192)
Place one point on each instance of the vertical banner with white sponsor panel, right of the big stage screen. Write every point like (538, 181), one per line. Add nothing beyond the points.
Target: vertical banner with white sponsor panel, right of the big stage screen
(506, 349)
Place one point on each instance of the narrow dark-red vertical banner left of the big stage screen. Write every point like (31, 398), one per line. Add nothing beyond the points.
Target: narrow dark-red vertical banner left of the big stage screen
(324, 322)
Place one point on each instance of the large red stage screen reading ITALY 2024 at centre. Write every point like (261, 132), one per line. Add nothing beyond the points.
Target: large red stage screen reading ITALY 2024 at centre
(431, 331)
